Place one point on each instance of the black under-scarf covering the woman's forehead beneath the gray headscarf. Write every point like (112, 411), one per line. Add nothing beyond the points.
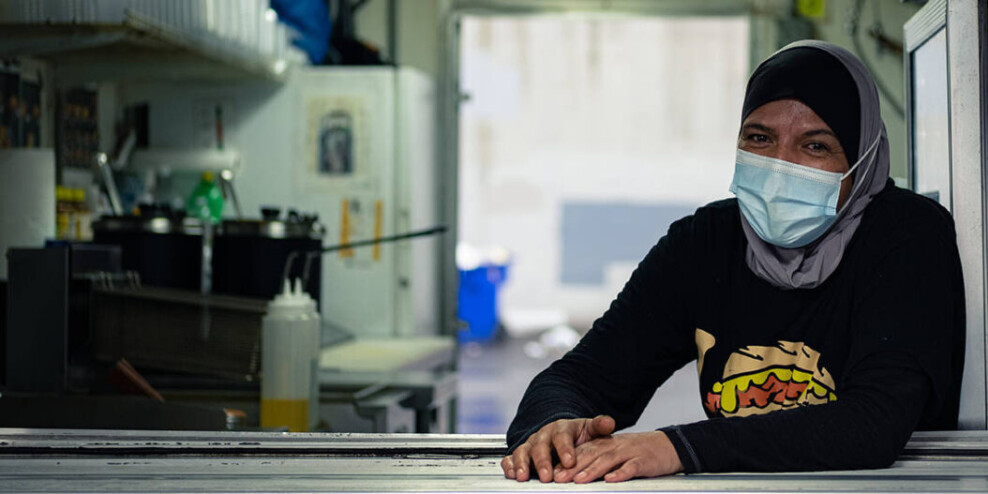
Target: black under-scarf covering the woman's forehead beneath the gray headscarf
(818, 80)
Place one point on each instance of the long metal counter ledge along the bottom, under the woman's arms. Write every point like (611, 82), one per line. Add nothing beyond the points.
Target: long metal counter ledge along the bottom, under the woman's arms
(128, 461)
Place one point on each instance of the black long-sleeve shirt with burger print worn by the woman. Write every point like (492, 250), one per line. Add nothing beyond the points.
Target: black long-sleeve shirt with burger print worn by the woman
(848, 369)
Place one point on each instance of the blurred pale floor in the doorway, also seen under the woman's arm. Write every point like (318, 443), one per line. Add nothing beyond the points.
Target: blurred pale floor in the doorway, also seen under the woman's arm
(494, 376)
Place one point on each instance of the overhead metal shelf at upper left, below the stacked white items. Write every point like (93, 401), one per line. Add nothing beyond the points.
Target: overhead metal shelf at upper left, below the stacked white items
(139, 48)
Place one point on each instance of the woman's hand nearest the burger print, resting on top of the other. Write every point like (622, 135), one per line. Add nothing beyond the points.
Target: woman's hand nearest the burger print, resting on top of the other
(622, 457)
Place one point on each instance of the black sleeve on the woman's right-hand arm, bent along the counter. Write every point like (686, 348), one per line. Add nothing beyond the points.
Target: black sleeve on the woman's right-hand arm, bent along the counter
(903, 359)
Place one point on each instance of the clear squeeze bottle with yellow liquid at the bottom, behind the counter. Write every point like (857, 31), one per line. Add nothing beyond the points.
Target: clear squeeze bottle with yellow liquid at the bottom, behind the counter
(290, 343)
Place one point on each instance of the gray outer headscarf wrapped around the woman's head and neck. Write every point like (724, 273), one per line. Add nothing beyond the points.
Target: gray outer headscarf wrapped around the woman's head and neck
(810, 266)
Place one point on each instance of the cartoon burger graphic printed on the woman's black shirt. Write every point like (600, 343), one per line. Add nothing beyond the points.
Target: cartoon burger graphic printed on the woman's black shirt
(762, 379)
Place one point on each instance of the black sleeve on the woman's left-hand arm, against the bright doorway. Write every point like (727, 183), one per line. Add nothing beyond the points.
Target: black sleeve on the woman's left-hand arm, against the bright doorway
(640, 341)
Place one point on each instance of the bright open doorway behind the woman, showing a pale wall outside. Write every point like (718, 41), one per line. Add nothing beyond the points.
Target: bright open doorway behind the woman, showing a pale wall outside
(581, 139)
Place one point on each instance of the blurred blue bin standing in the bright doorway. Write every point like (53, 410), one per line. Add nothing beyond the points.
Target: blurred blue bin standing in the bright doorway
(477, 302)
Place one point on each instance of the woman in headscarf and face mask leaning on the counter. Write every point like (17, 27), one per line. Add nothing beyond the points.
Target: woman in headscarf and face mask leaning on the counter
(824, 307)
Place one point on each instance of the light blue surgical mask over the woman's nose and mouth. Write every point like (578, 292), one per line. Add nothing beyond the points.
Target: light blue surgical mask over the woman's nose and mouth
(787, 204)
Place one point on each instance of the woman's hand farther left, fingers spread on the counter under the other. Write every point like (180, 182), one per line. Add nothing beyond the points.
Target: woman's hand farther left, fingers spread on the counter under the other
(561, 436)
